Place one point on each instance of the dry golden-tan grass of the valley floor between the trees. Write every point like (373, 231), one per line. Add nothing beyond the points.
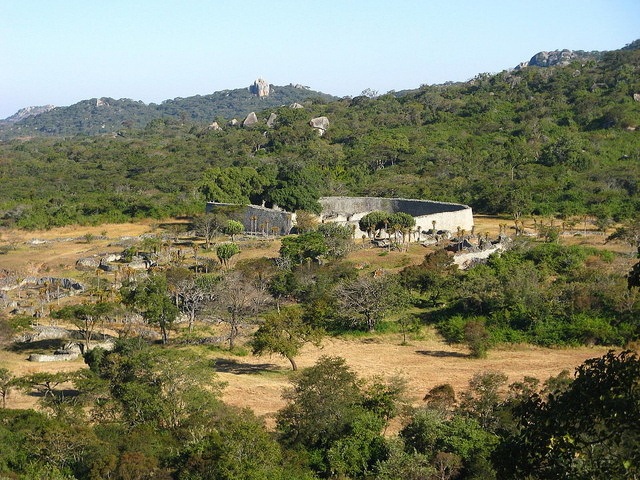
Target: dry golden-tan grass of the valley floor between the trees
(257, 382)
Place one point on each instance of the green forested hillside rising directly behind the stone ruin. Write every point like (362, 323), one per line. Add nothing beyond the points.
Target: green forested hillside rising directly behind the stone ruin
(561, 141)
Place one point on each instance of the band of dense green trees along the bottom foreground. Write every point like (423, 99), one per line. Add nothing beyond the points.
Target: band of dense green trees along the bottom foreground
(142, 412)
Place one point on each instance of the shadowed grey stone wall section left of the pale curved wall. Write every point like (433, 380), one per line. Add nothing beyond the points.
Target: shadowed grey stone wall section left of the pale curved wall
(257, 219)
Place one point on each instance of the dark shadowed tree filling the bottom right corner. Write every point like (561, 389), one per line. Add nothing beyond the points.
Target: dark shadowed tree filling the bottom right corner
(590, 430)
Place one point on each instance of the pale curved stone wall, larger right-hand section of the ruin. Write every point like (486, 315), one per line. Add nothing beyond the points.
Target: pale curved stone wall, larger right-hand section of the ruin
(448, 216)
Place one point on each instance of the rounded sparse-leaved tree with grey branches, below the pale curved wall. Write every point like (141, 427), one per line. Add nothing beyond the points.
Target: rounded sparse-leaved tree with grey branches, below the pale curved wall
(366, 300)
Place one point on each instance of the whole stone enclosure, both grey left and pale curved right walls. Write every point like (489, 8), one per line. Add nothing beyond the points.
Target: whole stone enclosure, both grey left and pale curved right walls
(274, 221)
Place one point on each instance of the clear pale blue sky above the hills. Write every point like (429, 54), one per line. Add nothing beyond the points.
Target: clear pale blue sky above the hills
(61, 52)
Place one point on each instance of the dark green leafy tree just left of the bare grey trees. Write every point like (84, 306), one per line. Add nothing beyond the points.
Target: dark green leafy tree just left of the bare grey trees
(151, 299)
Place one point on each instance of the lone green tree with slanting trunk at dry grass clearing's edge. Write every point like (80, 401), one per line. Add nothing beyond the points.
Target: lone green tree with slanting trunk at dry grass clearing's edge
(284, 333)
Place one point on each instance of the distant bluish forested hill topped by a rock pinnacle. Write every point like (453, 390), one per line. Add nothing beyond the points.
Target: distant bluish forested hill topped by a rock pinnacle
(107, 115)
